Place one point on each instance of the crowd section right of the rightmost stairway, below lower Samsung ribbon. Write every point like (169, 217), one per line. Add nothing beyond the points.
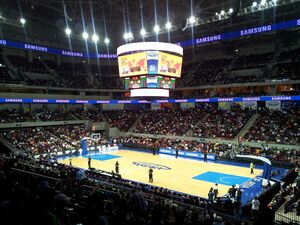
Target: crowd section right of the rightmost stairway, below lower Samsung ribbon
(281, 127)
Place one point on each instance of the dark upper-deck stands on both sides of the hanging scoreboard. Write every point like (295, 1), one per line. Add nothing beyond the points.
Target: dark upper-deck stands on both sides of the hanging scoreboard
(215, 71)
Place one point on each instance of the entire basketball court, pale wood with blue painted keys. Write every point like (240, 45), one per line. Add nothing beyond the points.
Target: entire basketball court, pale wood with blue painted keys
(189, 176)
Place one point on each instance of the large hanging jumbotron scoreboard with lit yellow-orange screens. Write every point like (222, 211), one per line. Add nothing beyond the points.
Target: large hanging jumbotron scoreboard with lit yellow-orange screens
(150, 69)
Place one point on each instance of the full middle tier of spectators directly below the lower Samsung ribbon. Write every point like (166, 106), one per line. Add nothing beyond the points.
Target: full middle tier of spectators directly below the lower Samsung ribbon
(281, 127)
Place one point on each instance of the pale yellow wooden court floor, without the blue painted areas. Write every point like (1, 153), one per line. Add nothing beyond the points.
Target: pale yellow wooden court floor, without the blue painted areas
(179, 177)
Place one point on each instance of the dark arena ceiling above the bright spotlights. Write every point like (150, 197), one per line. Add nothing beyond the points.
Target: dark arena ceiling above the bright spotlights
(114, 17)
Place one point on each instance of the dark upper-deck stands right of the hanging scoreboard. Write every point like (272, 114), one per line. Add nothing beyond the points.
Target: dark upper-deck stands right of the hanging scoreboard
(218, 71)
